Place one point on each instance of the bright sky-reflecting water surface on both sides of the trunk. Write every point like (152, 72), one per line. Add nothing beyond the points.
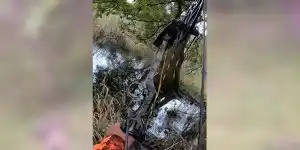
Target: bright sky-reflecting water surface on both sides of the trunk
(174, 118)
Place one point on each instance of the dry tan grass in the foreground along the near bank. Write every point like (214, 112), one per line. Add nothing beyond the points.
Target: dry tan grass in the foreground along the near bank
(109, 109)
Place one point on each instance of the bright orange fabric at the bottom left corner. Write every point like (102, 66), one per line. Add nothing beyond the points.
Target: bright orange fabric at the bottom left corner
(112, 142)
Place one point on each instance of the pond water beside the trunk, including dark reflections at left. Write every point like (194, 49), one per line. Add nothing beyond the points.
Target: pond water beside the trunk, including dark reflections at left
(119, 69)
